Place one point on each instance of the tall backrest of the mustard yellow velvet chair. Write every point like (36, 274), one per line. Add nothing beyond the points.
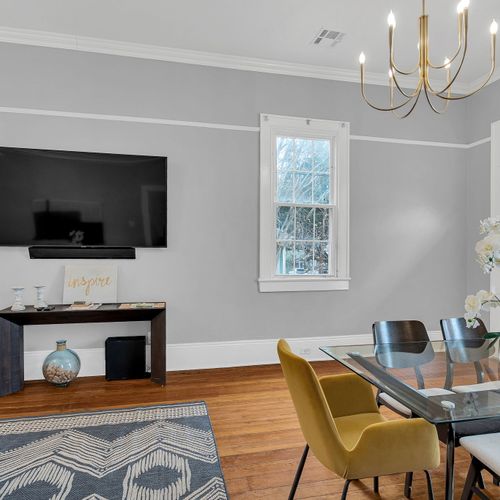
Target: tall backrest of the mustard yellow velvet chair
(312, 409)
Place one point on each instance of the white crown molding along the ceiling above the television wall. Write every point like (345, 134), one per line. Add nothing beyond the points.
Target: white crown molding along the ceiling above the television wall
(158, 53)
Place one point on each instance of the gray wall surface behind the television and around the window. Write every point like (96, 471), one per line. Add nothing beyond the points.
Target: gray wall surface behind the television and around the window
(408, 208)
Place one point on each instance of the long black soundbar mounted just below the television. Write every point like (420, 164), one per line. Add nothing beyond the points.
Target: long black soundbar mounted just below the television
(85, 252)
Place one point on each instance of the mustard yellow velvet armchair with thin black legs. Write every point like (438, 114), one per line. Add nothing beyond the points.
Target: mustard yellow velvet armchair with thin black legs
(342, 424)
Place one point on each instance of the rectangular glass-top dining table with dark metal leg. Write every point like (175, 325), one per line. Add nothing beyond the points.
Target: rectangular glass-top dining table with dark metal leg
(454, 385)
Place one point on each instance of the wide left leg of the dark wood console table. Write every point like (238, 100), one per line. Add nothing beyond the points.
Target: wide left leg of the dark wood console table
(11, 357)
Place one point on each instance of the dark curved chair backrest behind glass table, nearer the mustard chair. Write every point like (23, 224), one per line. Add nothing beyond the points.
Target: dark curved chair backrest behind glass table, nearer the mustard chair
(403, 344)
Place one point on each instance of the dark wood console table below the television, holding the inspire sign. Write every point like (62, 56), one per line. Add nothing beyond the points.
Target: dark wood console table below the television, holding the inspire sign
(12, 336)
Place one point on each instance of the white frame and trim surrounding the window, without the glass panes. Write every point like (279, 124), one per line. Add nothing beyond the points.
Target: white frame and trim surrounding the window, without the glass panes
(272, 126)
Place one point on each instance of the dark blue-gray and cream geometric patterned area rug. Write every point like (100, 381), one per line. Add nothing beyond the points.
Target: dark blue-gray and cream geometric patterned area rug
(165, 452)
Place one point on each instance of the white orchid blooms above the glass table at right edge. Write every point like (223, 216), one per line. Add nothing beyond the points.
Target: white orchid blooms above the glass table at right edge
(488, 256)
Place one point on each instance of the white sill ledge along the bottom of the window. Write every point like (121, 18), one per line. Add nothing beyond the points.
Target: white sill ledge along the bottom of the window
(303, 284)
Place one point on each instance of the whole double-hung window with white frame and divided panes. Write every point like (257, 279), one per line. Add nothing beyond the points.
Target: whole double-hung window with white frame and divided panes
(304, 204)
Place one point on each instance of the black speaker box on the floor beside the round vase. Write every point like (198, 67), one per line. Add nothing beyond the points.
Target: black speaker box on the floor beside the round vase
(126, 358)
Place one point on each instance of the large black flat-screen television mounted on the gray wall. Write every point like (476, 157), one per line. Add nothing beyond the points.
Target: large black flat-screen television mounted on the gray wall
(82, 199)
